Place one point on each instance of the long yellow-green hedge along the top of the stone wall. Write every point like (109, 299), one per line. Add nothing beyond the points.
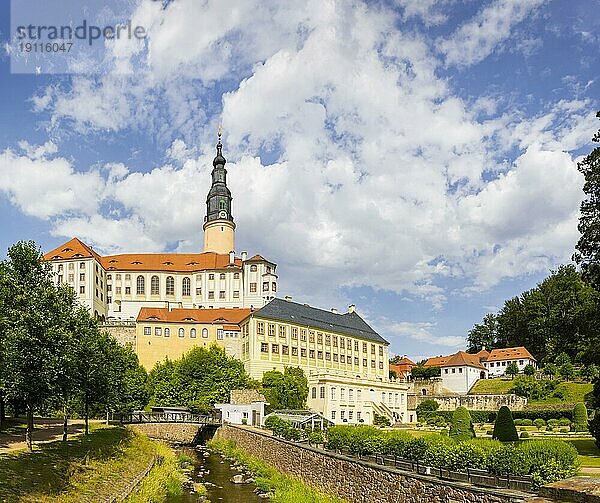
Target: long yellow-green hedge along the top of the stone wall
(546, 460)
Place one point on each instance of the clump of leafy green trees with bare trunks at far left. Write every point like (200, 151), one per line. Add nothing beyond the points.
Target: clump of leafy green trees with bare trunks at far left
(52, 349)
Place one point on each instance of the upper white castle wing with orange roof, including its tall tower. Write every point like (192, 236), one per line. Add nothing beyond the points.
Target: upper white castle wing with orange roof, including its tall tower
(116, 287)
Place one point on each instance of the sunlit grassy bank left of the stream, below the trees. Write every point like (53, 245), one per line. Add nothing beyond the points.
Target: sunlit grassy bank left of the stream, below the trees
(88, 468)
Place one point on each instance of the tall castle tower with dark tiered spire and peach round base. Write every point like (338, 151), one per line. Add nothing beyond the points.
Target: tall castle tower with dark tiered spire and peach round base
(219, 229)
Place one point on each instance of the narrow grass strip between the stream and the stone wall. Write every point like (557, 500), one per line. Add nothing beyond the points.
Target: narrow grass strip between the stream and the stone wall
(286, 489)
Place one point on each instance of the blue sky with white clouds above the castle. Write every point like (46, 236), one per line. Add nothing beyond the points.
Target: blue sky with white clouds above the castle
(414, 157)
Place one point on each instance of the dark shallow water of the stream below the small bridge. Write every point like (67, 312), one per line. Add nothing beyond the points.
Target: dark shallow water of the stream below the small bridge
(215, 472)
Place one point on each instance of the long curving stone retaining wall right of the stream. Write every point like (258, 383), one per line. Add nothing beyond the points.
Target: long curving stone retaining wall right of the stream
(355, 480)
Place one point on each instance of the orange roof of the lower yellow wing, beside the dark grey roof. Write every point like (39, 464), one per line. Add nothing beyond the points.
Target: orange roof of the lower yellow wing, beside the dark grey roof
(226, 316)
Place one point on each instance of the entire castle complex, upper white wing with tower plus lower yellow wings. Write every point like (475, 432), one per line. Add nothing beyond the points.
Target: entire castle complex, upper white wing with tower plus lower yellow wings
(172, 302)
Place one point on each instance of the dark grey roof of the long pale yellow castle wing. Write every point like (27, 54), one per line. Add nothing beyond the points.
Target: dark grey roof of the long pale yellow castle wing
(292, 312)
